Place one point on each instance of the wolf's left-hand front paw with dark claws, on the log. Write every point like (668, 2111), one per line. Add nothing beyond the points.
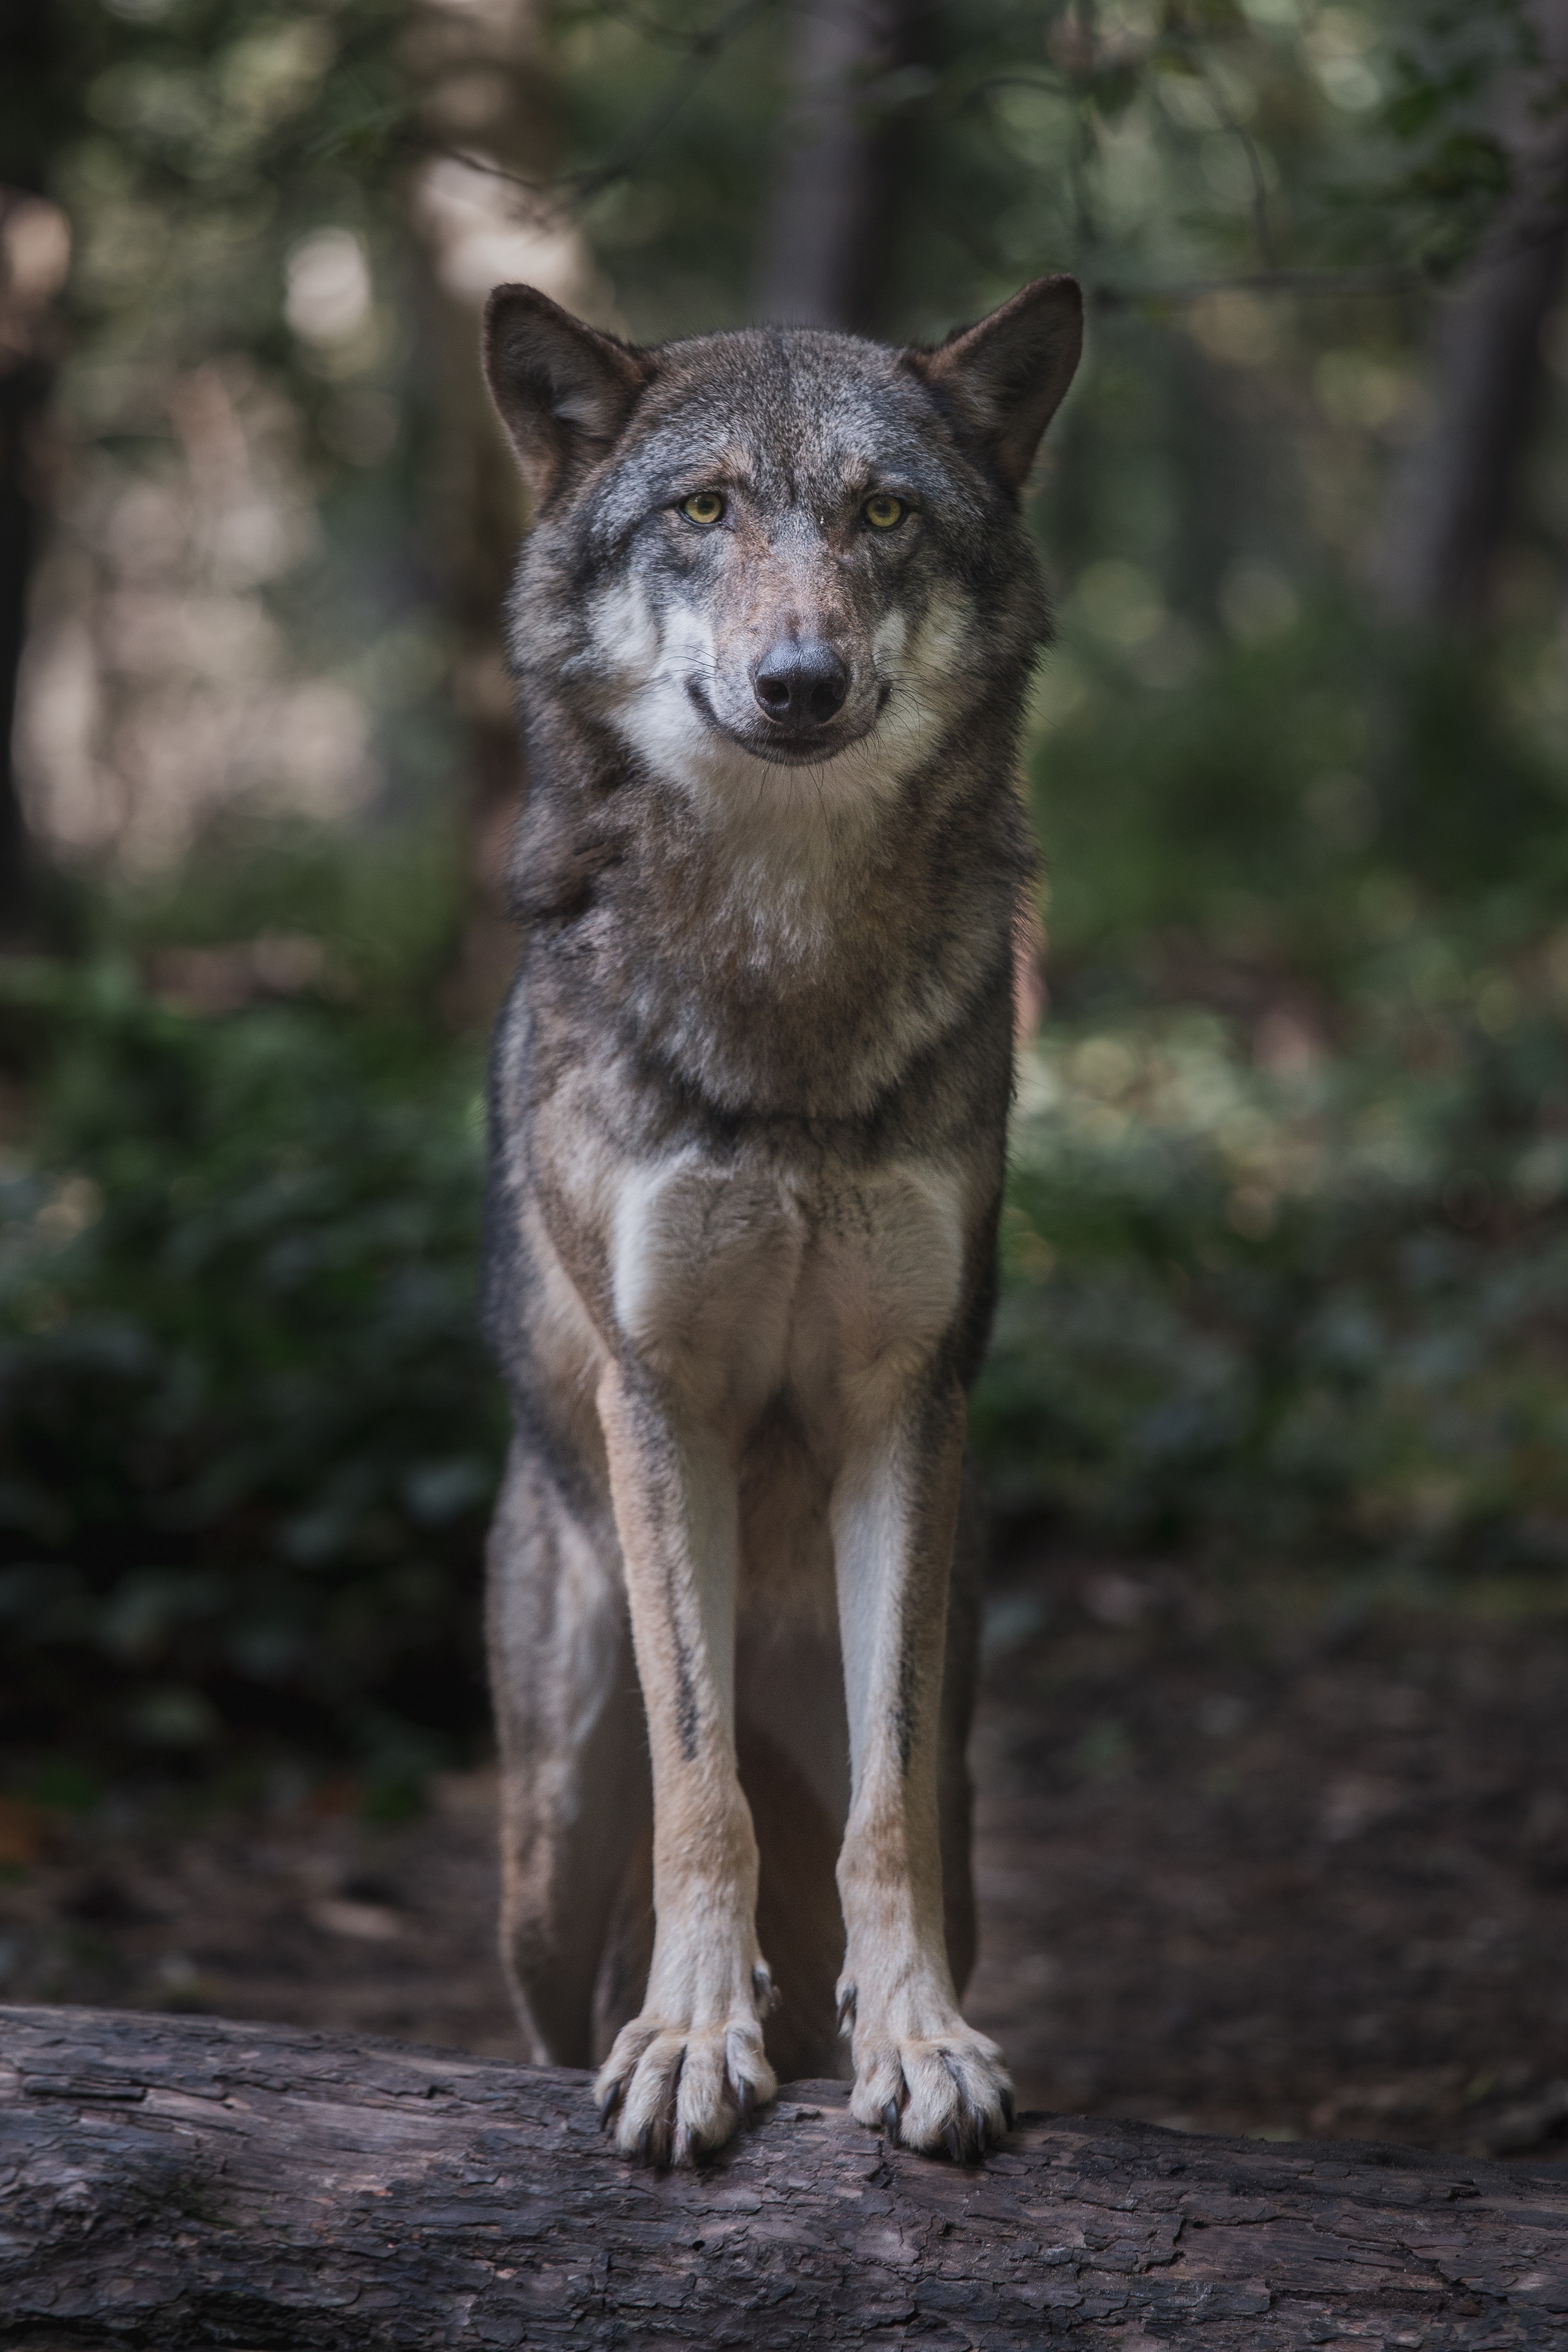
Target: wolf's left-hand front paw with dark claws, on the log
(674, 2092)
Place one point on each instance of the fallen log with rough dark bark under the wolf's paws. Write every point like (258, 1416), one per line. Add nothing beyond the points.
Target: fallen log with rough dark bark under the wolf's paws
(196, 2184)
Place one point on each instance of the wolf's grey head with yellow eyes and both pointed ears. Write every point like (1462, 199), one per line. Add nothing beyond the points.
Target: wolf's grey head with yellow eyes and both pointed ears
(782, 547)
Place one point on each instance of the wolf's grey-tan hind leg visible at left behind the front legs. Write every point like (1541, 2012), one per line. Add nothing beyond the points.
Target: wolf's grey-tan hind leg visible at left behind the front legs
(575, 1779)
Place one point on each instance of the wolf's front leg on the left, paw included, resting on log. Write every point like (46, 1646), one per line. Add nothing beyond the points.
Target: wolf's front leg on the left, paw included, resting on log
(692, 2064)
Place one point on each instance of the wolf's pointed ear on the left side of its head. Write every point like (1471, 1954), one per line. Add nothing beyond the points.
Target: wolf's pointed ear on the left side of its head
(563, 389)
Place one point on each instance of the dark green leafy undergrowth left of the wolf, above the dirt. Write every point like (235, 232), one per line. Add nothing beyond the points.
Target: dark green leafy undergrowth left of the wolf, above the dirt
(248, 1434)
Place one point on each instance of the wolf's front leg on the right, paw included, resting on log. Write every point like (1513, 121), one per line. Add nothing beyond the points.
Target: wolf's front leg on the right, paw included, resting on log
(920, 2071)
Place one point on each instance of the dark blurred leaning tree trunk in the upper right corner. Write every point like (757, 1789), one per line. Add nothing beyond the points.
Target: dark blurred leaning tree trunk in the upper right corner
(1452, 497)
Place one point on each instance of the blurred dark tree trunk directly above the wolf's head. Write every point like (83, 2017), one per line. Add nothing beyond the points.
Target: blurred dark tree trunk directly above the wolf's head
(826, 241)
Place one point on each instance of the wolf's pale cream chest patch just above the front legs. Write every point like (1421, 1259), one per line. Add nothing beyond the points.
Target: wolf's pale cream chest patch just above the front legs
(751, 1285)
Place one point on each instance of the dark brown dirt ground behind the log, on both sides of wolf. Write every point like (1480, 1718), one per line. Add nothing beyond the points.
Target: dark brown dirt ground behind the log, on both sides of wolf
(1287, 1876)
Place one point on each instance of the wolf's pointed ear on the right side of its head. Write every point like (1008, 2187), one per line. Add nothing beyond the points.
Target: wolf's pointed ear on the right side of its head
(1005, 380)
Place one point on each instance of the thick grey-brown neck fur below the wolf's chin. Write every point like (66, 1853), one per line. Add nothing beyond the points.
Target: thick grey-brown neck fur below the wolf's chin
(803, 961)
